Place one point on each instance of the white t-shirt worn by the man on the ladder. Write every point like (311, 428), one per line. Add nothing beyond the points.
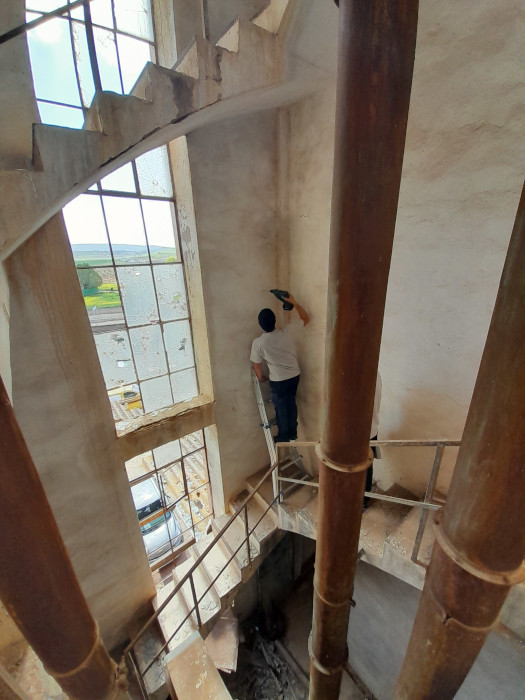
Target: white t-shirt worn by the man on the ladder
(277, 349)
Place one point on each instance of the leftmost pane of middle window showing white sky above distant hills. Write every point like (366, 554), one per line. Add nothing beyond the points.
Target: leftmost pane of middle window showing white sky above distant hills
(87, 231)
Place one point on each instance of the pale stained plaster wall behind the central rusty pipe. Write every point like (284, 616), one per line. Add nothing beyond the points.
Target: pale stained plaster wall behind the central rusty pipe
(462, 176)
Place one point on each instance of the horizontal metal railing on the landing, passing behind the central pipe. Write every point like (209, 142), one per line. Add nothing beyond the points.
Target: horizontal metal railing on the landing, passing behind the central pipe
(426, 505)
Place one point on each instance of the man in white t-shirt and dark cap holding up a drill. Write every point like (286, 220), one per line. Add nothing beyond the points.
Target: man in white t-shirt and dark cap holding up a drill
(276, 347)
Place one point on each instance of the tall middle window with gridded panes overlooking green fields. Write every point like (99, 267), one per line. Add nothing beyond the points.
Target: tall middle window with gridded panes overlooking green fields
(127, 252)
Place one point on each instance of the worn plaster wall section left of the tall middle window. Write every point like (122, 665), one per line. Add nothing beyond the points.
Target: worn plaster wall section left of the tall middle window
(62, 408)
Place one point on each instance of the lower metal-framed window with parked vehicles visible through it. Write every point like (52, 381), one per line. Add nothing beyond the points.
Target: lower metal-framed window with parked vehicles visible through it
(170, 486)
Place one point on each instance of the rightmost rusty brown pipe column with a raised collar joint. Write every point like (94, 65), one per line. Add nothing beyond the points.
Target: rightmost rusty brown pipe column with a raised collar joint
(480, 544)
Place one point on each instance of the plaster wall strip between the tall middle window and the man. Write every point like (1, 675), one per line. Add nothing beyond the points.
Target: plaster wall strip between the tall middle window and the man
(233, 171)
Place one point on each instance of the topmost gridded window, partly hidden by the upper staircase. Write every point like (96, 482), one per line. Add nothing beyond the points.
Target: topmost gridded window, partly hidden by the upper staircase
(103, 45)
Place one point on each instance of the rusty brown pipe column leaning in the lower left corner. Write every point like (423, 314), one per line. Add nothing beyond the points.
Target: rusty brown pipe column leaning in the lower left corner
(37, 583)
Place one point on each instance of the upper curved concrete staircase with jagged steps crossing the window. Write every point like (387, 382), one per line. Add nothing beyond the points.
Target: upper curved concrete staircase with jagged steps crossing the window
(244, 71)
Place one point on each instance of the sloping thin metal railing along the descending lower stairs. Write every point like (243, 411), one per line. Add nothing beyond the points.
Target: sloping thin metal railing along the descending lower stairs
(129, 652)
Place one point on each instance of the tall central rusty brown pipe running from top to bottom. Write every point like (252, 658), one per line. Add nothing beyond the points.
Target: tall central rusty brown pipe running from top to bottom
(376, 57)
